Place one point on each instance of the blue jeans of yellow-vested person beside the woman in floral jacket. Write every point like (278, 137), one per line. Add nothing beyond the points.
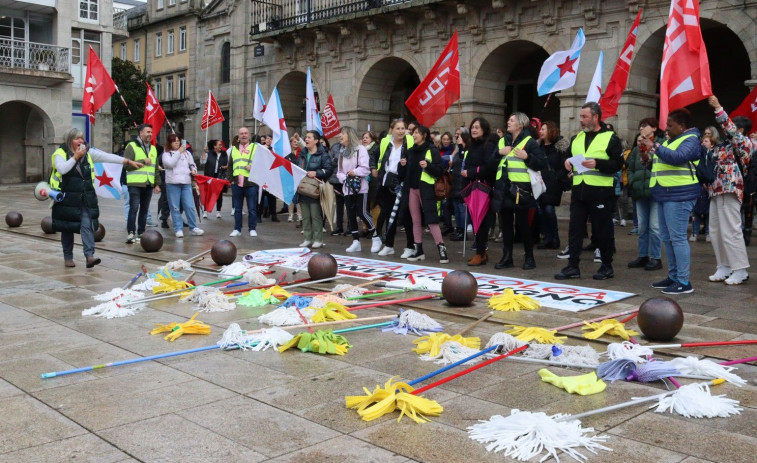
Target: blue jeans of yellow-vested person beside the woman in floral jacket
(674, 221)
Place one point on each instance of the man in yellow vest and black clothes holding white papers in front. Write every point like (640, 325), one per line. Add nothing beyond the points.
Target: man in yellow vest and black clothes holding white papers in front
(601, 155)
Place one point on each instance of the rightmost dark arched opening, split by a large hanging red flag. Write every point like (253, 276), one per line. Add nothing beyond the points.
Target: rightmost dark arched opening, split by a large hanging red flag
(728, 71)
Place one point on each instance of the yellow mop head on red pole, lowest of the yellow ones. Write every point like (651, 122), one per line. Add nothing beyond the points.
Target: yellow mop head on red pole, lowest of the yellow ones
(393, 396)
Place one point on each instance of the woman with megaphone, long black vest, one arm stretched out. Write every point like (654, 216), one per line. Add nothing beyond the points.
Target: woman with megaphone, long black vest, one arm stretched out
(74, 175)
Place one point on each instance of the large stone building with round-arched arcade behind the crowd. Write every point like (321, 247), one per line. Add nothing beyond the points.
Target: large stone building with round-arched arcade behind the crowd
(371, 54)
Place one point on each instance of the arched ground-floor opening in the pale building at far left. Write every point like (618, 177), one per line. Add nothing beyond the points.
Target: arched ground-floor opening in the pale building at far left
(23, 136)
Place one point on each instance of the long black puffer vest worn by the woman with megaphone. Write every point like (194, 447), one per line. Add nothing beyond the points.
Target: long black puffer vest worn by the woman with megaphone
(79, 190)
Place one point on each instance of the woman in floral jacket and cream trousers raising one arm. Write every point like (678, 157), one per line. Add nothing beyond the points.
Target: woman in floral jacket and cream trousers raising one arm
(726, 196)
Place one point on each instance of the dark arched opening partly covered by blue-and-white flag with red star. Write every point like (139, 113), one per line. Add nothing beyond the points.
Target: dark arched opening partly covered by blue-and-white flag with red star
(506, 82)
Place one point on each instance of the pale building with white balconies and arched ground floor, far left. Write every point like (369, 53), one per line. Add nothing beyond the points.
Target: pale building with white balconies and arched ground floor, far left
(43, 63)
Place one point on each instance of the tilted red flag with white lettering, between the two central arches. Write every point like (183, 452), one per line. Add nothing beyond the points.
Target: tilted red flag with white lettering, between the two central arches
(440, 89)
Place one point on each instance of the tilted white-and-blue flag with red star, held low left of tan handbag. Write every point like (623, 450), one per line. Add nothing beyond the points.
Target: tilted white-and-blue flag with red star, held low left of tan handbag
(275, 174)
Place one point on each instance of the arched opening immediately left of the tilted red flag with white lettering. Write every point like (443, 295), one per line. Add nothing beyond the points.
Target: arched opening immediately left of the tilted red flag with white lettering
(383, 92)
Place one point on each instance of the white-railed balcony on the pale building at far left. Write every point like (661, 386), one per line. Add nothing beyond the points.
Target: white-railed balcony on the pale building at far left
(20, 54)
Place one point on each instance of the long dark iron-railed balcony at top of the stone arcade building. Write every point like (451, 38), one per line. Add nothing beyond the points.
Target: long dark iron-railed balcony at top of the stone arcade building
(273, 15)
